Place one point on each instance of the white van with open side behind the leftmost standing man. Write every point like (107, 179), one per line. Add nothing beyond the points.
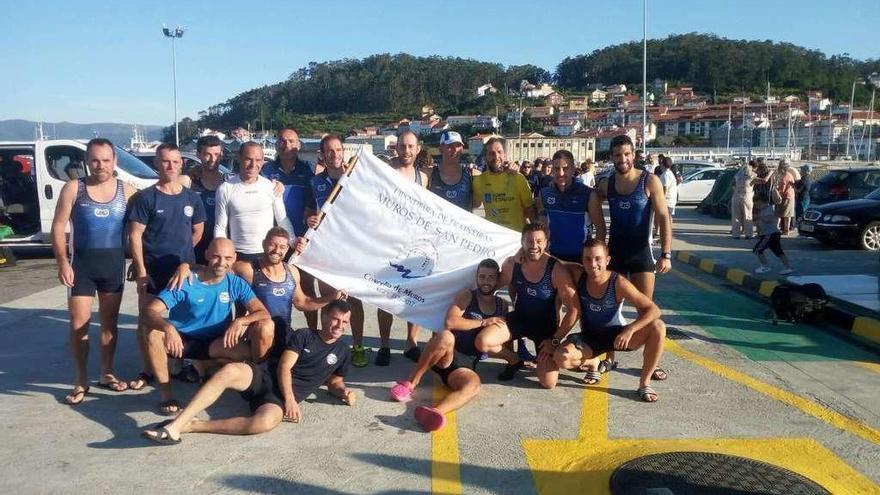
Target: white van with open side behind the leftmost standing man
(32, 175)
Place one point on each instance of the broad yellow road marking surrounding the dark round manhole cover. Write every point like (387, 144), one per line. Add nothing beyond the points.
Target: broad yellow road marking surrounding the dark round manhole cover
(585, 464)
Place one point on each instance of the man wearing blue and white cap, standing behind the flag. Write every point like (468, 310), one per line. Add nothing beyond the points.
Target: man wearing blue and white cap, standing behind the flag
(451, 181)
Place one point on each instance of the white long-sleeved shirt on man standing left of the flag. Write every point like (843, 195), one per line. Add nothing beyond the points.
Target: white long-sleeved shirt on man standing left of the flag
(248, 210)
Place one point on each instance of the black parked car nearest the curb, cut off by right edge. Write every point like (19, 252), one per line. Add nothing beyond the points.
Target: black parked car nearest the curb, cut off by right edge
(855, 221)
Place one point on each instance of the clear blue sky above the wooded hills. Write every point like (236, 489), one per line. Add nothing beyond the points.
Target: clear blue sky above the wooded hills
(88, 61)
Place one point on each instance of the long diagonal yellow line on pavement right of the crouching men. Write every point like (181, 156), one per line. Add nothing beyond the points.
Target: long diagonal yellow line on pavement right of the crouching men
(827, 415)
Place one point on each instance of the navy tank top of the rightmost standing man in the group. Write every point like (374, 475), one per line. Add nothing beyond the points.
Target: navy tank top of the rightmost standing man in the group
(630, 214)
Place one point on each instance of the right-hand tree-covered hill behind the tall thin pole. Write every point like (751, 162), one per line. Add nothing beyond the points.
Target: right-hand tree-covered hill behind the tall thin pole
(712, 64)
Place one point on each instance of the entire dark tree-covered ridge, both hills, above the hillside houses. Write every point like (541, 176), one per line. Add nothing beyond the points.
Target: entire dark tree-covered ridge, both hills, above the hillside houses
(399, 85)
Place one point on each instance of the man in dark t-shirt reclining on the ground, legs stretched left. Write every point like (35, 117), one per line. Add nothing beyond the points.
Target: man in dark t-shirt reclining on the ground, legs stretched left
(273, 390)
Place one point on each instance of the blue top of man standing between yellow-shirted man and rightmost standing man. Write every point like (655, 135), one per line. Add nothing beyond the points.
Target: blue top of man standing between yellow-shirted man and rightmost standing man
(567, 217)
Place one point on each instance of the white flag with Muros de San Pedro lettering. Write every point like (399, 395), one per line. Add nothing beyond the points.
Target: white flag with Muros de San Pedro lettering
(393, 244)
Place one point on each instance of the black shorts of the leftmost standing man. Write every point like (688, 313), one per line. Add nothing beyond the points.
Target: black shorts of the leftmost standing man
(101, 271)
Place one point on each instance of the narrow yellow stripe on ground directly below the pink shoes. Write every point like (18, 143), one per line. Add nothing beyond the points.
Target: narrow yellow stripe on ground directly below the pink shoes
(445, 469)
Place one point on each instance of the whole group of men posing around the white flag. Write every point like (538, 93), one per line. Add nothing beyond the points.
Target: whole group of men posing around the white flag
(229, 292)
